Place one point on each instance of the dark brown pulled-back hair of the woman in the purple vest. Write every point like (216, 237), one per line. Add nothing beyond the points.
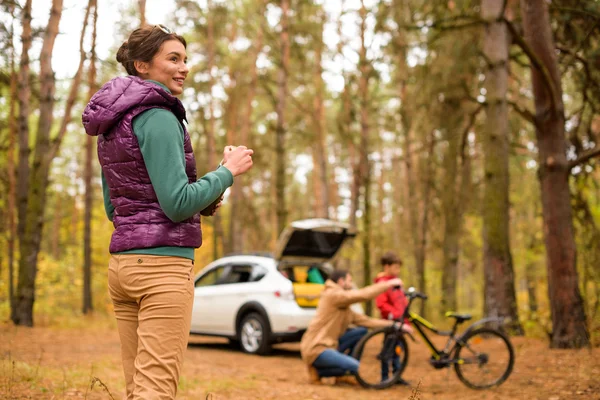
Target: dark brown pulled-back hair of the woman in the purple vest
(143, 44)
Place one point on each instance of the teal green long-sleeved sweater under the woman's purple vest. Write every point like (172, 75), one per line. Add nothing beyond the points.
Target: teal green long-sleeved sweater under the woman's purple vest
(160, 136)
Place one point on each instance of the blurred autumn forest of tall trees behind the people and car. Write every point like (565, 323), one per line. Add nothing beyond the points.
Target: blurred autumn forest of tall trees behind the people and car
(462, 134)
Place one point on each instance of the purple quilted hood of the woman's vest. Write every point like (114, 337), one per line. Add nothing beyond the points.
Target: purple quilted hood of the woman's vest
(118, 96)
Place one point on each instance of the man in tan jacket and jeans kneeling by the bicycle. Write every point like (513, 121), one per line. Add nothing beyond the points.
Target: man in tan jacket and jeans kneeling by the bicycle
(328, 341)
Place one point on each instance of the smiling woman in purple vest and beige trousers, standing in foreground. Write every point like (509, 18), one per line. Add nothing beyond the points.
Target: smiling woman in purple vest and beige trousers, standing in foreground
(154, 200)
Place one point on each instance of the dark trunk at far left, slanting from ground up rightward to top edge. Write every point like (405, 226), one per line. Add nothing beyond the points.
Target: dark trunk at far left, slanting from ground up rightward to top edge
(30, 239)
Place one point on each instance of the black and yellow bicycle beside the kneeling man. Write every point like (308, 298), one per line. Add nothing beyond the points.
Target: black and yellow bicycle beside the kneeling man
(479, 352)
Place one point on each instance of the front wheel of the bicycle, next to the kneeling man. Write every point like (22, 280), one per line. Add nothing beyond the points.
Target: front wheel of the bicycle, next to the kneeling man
(383, 355)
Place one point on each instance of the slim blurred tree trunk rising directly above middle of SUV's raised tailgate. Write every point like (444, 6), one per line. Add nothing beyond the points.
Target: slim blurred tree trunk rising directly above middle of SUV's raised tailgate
(319, 153)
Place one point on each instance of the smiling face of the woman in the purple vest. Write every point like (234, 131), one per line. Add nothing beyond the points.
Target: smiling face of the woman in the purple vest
(168, 66)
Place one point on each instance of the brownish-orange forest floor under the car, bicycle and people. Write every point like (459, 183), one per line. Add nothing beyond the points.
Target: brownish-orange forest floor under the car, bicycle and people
(83, 362)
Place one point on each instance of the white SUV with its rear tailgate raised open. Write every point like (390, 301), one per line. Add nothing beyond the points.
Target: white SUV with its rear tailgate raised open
(259, 300)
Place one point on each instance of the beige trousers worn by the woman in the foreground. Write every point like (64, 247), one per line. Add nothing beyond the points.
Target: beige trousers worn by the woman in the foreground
(152, 297)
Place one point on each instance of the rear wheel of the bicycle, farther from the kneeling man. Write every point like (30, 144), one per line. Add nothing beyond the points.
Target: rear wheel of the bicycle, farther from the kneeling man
(484, 358)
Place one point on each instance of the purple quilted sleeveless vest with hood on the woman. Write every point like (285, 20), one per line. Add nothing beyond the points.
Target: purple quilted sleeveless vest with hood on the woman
(138, 219)
